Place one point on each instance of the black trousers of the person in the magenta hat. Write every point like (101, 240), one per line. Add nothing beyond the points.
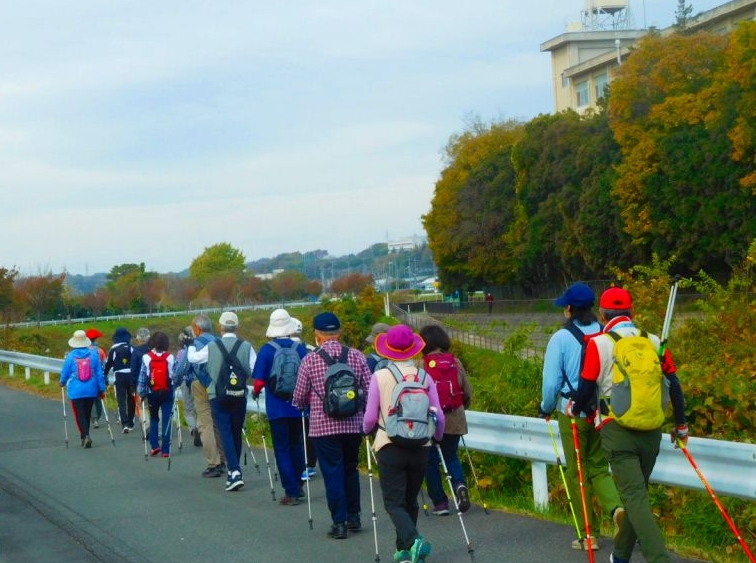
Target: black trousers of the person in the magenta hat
(401, 473)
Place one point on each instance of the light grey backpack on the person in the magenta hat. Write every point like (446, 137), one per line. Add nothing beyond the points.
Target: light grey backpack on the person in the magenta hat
(410, 422)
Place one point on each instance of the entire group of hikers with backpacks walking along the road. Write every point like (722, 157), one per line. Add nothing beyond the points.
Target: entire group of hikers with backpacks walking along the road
(607, 381)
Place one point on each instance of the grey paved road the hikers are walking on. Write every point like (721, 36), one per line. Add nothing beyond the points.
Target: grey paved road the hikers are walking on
(107, 505)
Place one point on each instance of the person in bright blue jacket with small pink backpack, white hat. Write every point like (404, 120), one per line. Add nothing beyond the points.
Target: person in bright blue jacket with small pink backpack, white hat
(83, 378)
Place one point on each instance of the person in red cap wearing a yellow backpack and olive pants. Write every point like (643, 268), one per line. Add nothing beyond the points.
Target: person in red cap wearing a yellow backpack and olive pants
(631, 452)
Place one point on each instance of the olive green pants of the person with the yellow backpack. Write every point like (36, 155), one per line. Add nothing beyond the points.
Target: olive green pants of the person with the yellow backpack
(632, 456)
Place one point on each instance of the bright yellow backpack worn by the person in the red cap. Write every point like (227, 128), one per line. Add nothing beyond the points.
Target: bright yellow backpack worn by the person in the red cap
(639, 393)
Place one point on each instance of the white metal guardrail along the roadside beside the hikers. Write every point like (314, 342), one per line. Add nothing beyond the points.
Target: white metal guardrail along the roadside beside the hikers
(729, 467)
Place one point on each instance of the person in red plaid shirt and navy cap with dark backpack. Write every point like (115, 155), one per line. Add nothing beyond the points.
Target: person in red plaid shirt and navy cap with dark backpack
(336, 437)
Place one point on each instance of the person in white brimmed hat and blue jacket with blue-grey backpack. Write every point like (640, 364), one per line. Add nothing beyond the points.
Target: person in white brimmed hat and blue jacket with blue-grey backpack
(285, 420)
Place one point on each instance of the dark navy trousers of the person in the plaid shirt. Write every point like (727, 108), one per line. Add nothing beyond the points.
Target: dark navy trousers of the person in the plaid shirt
(338, 456)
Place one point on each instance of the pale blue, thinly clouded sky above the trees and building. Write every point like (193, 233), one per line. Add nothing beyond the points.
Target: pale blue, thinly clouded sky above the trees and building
(135, 131)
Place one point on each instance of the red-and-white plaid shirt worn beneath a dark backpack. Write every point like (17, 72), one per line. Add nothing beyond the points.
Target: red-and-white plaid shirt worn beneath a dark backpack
(310, 391)
